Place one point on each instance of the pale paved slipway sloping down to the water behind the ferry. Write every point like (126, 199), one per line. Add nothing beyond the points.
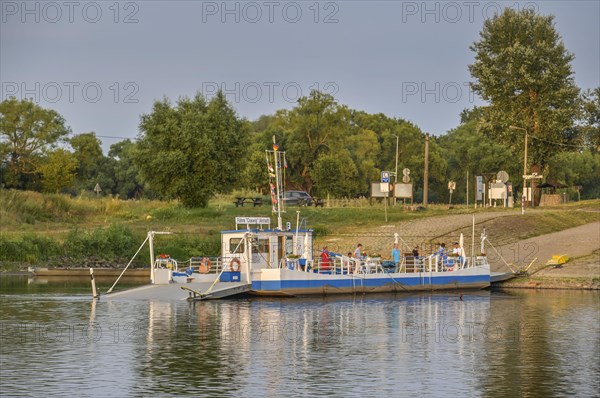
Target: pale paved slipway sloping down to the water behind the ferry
(581, 244)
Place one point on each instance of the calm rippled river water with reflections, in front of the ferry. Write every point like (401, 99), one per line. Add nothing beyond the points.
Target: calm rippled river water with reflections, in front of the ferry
(56, 341)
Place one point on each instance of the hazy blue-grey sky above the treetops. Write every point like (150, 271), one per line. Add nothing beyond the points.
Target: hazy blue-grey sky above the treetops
(102, 64)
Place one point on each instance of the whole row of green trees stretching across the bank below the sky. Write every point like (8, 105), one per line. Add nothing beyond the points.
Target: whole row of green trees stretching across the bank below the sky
(195, 148)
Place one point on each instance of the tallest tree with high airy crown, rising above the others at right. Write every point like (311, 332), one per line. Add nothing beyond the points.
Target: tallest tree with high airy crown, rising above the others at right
(523, 70)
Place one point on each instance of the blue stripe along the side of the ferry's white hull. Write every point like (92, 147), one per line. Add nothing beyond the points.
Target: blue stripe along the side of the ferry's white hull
(424, 281)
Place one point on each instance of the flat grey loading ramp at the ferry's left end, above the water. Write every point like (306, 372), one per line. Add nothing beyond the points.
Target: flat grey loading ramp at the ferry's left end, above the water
(177, 291)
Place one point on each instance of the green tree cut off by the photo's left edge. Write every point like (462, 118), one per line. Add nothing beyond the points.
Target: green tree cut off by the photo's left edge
(27, 133)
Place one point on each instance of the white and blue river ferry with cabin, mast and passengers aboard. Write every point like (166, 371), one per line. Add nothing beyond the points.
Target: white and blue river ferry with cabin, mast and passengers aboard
(260, 259)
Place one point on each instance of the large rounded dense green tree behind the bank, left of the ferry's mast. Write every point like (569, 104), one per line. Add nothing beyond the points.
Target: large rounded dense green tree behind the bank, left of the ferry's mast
(192, 150)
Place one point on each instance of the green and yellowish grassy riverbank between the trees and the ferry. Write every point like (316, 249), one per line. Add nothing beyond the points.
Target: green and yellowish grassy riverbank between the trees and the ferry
(57, 230)
